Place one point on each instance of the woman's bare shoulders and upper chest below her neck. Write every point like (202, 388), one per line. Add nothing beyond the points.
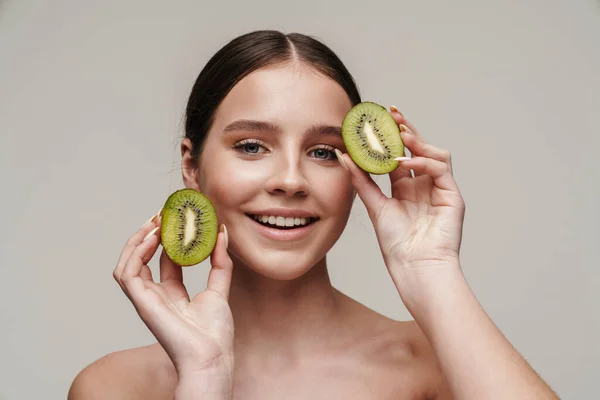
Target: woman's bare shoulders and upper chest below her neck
(372, 357)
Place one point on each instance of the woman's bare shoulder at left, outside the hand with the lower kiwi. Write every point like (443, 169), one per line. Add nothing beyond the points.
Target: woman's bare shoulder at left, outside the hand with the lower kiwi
(139, 373)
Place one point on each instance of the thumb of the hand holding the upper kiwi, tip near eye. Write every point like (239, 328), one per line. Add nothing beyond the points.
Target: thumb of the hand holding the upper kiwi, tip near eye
(368, 191)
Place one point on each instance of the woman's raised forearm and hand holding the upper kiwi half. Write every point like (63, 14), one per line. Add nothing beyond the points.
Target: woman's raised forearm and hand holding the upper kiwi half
(419, 231)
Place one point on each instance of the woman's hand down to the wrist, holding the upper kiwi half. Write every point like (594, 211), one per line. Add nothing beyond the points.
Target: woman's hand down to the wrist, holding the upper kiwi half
(420, 226)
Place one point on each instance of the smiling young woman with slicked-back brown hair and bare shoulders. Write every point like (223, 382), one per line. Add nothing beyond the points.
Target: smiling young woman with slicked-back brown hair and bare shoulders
(263, 142)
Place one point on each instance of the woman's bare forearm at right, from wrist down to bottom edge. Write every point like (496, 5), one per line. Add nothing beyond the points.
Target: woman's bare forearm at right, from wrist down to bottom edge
(476, 358)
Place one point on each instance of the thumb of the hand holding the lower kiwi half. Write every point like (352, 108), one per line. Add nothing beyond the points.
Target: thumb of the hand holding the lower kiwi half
(219, 277)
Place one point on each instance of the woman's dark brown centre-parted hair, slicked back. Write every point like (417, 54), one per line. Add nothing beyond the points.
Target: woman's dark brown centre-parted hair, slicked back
(248, 53)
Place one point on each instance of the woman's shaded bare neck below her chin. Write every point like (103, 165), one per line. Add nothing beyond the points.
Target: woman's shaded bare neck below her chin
(286, 317)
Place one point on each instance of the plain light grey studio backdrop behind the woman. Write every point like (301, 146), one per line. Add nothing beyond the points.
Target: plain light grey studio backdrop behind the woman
(92, 96)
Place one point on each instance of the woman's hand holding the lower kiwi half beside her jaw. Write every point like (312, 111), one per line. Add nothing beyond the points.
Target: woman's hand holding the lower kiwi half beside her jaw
(197, 334)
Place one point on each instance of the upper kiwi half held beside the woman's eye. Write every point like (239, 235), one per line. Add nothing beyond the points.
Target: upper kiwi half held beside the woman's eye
(372, 138)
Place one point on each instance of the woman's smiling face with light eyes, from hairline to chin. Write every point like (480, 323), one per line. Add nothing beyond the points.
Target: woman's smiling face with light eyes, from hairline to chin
(269, 167)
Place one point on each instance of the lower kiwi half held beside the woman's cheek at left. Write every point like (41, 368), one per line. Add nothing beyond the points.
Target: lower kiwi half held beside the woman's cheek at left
(188, 227)
